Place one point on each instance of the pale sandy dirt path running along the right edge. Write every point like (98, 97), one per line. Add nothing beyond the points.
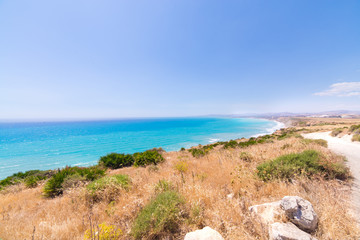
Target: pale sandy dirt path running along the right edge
(351, 150)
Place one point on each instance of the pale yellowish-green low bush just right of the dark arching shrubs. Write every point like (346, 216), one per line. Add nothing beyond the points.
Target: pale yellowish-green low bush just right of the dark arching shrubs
(108, 188)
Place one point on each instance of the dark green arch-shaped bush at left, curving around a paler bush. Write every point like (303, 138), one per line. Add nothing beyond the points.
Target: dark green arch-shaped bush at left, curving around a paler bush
(54, 186)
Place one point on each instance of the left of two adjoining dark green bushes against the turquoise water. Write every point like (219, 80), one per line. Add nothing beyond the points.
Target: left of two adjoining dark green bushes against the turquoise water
(117, 160)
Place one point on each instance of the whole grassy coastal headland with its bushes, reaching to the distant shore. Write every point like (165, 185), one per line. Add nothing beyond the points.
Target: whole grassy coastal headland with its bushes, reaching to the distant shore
(164, 195)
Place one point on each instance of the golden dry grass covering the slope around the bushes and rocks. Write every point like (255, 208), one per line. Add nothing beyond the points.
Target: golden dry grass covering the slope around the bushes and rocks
(205, 183)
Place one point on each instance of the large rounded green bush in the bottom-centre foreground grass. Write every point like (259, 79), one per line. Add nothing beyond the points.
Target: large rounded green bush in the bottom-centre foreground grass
(161, 216)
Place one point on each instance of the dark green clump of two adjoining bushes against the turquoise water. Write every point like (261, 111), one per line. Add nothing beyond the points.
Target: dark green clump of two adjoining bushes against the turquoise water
(119, 160)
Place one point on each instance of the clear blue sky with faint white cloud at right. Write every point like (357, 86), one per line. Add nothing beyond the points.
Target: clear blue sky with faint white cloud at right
(113, 59)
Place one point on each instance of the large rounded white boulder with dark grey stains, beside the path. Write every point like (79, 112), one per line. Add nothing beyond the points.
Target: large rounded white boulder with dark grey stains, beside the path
(300, 212)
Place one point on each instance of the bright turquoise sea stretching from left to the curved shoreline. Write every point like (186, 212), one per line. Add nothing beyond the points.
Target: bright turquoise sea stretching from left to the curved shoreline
(49, 145)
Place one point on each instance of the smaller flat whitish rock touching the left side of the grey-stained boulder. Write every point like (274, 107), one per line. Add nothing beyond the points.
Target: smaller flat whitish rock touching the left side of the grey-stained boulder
(268, 213)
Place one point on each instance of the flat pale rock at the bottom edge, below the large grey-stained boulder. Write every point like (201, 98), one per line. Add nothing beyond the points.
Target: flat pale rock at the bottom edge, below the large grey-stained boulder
(287, 231)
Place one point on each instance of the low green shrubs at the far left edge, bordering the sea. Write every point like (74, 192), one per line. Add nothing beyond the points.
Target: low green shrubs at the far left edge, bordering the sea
(30, 178)
